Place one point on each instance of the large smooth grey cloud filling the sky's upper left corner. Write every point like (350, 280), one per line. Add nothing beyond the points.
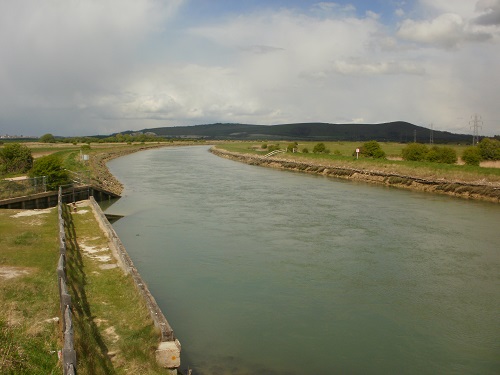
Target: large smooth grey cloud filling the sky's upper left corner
(63, 56)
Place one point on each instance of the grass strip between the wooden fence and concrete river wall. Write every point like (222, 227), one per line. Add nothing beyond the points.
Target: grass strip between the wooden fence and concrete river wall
(114, 333)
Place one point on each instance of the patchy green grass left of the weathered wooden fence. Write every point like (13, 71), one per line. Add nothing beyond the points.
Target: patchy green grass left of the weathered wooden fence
(29, 340)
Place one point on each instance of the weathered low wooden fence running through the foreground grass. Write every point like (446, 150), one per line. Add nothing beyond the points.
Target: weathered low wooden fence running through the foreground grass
(68, 351)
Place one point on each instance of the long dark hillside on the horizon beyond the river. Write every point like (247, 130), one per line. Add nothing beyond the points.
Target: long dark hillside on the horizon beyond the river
(398, 131)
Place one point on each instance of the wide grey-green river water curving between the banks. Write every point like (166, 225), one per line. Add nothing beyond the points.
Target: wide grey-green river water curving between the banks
(261, 271)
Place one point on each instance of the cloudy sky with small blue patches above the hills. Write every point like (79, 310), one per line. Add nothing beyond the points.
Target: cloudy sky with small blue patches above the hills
(88, 67)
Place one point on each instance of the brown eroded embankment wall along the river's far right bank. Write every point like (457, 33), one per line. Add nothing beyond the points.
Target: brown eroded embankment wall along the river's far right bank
(454, 188)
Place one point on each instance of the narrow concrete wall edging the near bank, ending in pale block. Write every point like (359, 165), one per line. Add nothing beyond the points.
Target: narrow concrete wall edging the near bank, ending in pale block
(168, 352)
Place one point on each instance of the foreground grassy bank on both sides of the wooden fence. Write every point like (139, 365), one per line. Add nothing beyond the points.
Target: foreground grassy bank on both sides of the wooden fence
(113, 331)
